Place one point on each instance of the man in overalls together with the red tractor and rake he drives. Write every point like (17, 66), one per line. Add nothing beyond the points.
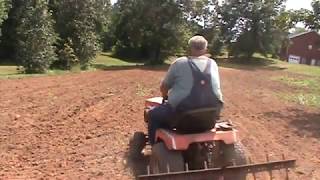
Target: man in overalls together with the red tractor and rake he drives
(186, 142)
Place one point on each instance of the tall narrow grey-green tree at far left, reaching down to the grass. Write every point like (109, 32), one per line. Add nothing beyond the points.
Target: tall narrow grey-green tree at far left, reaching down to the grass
(36, 37)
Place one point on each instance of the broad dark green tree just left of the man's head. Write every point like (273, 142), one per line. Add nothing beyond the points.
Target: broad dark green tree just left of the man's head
(149, 29)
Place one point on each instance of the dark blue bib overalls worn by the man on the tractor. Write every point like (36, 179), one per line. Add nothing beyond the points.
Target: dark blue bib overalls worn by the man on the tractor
(201, 96)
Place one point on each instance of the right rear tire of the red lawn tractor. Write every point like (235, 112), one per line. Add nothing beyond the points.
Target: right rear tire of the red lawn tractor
(234, 154)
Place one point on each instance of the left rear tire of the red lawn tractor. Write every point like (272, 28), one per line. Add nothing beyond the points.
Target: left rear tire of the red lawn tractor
(161, 158)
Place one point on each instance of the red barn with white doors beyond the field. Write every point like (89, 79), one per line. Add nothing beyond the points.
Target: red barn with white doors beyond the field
(303, 48)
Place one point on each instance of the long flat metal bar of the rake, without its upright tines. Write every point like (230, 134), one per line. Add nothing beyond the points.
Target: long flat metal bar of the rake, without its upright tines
(216, 173)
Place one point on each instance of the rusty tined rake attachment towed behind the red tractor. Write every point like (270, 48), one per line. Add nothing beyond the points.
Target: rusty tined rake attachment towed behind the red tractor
(221, 173)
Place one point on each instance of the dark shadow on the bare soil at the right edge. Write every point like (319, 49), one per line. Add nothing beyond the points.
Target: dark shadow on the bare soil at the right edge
(306, 123)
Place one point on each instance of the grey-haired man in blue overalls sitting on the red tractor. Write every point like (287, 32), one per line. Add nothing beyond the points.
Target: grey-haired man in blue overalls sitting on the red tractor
(191, 83)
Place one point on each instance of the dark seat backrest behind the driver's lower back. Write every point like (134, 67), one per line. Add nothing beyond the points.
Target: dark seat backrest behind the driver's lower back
(197, 121)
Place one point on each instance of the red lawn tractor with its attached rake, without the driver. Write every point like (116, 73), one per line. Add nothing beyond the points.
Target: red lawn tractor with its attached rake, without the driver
(215, 154)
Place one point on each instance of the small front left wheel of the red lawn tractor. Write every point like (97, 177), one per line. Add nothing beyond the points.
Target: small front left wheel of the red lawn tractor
(136, 145)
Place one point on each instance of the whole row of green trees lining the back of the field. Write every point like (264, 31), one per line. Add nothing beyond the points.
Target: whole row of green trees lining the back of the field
(41, 34)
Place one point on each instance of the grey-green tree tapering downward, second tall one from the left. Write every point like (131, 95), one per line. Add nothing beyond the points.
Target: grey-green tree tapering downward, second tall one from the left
(83, 23)
